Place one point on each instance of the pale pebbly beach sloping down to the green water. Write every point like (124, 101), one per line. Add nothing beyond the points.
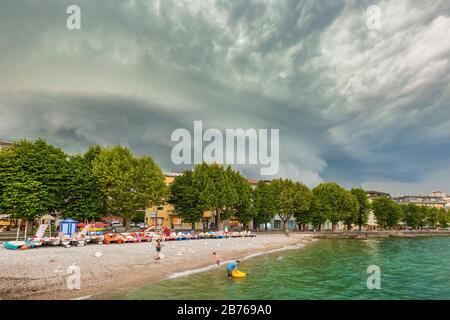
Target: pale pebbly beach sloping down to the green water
(108, 270)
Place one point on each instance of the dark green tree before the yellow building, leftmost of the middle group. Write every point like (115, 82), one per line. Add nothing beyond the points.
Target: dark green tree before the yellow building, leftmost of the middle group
(185, 196)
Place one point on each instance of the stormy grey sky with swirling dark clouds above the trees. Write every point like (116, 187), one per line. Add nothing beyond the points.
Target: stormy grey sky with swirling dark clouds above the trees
(359, 106)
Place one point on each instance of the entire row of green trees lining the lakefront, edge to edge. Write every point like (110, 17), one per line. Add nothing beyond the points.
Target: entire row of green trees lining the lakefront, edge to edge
(37, 178)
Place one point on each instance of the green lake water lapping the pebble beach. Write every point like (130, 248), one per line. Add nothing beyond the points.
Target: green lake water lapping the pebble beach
(416, 268)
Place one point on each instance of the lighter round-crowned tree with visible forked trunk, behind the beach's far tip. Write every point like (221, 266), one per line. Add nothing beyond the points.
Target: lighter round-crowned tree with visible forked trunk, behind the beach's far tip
(291, 198)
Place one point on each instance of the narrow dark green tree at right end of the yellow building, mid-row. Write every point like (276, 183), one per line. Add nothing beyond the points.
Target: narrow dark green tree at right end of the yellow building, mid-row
(264, 203)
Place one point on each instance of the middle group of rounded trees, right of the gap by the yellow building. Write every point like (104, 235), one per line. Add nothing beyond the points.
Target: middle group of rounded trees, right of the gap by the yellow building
(226, 193)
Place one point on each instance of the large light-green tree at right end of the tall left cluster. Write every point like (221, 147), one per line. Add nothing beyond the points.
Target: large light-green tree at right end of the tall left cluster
(128, 183)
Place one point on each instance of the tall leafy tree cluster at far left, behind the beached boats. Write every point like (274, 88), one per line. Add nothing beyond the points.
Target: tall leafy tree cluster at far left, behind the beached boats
(37, 178)
